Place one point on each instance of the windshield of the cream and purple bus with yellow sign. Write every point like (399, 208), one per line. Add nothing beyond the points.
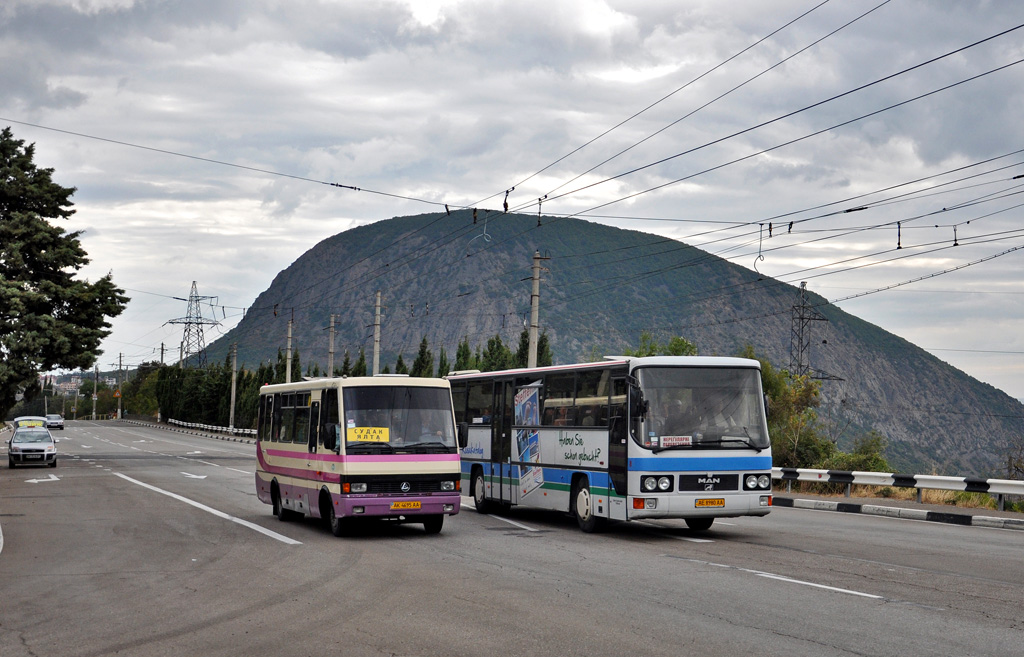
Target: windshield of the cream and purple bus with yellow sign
(399, 420)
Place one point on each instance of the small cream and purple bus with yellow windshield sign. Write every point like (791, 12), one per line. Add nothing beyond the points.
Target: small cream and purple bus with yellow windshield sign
(348, 449)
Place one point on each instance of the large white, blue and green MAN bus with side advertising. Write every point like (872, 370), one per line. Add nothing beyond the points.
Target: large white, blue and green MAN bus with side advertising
(624, 440)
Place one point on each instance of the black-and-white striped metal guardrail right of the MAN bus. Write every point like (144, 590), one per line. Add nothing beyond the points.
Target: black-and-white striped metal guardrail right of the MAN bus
(999, 488)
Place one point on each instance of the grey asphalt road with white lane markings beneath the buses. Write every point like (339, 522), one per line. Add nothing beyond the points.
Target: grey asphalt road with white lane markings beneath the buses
(144, 542)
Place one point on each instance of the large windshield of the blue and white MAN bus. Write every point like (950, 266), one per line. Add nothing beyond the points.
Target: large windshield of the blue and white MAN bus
(702, 409)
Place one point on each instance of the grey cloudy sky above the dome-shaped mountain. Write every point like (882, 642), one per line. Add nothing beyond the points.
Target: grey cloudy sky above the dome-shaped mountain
(200, 136)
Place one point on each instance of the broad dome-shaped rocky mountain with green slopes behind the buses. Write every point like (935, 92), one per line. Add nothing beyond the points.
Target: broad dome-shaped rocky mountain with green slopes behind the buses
(450, 277)
